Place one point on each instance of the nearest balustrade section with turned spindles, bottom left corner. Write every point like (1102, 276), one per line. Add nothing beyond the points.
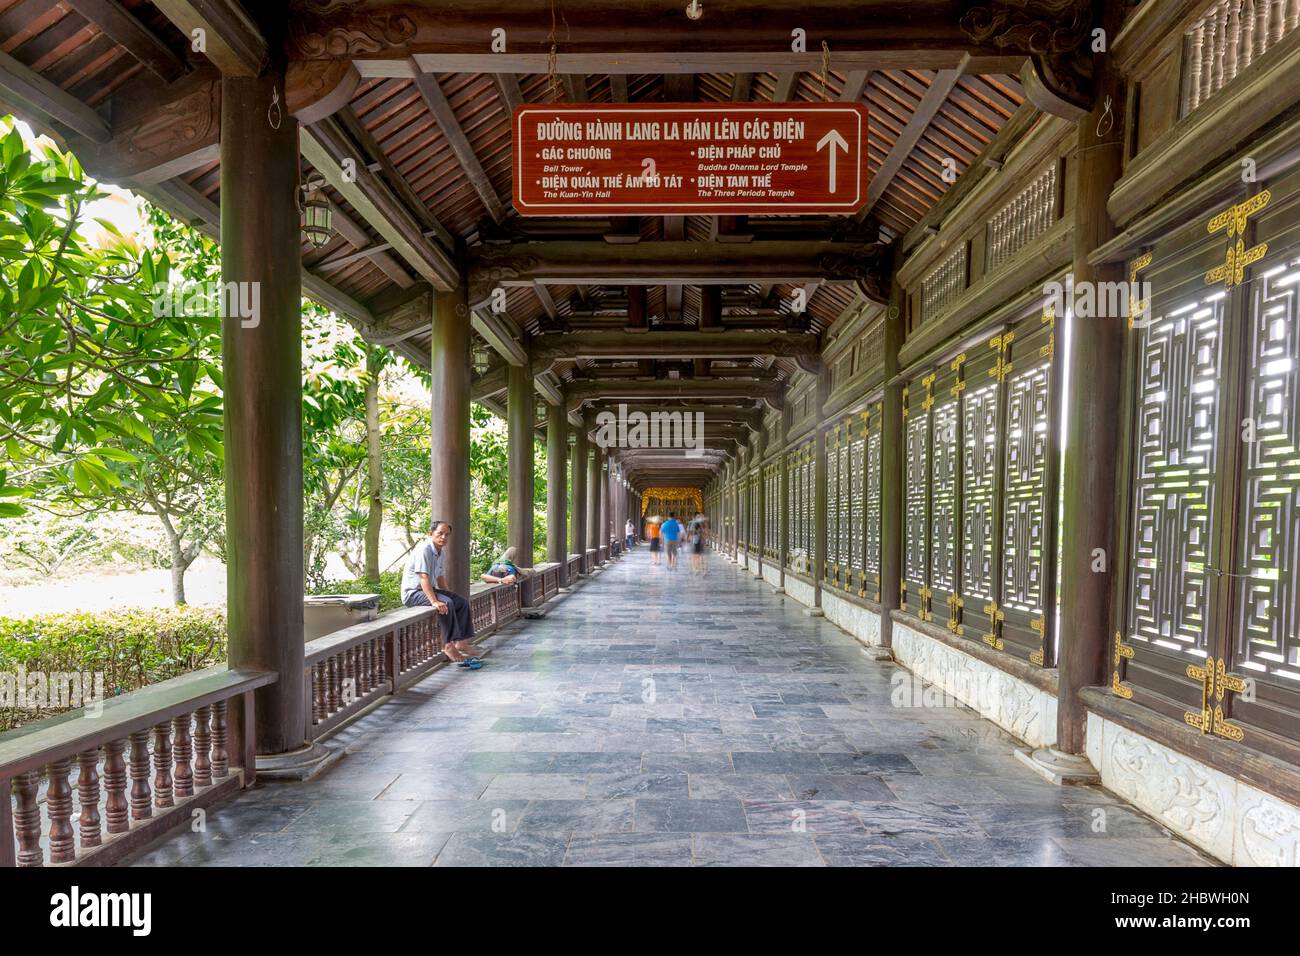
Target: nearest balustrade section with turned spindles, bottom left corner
(198, 746)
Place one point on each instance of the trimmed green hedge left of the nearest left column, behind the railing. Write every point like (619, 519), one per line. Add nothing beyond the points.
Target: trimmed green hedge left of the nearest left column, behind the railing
(131, 648)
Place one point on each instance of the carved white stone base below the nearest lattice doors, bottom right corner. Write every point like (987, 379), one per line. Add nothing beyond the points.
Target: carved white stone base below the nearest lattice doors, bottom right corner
(1228, 819)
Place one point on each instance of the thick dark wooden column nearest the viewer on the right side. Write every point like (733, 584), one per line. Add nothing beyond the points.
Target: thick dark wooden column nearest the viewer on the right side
(1093, 408)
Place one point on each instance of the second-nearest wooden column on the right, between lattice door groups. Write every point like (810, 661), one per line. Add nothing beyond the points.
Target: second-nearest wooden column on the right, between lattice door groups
(892, 460)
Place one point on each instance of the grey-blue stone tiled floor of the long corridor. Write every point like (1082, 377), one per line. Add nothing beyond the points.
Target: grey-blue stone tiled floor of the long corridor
(658, 719)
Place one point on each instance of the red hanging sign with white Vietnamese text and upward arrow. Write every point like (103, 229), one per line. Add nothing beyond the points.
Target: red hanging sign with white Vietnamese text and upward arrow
(727, 159)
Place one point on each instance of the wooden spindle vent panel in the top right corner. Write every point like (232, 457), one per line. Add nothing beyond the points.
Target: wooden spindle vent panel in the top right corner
(1227, 40)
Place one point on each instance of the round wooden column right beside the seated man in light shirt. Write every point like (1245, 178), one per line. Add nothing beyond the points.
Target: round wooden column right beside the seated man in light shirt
(449, 435)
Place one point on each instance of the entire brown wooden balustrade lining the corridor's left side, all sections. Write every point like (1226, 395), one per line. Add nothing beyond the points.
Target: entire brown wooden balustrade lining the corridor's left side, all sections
(157, 755)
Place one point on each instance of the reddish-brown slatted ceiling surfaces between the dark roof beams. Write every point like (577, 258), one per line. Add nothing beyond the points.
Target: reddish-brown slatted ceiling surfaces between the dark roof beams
(441, 145)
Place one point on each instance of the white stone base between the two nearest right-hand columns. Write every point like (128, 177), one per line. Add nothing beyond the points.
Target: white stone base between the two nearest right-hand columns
(1015, 706)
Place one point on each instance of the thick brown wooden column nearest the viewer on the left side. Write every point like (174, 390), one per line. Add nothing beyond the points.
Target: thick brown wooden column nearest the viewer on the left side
(262, 361)
